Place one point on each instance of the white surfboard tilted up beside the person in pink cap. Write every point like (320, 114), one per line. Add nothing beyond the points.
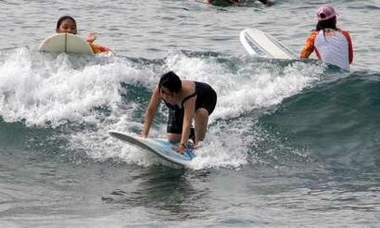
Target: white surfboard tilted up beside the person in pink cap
(261, 44)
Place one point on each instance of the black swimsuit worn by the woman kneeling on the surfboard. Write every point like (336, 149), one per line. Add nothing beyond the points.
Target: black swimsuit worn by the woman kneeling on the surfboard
(206, 98)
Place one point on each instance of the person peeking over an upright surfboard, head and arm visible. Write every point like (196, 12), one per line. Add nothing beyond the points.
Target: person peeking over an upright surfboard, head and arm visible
(67, 24)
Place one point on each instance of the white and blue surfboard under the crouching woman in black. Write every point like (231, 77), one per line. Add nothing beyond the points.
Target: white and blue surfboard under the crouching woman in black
(160, 147)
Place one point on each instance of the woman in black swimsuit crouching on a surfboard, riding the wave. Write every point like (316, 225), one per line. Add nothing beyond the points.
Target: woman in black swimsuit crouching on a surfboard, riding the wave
(187, 101)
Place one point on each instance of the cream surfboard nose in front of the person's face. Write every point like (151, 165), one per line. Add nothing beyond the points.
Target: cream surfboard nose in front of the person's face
(66, 42)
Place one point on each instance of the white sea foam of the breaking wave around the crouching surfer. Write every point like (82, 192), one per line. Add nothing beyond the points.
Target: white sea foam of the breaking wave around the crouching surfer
(47, 92)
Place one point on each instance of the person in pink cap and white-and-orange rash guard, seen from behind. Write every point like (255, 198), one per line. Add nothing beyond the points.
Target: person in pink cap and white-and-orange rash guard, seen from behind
(331, 44)
